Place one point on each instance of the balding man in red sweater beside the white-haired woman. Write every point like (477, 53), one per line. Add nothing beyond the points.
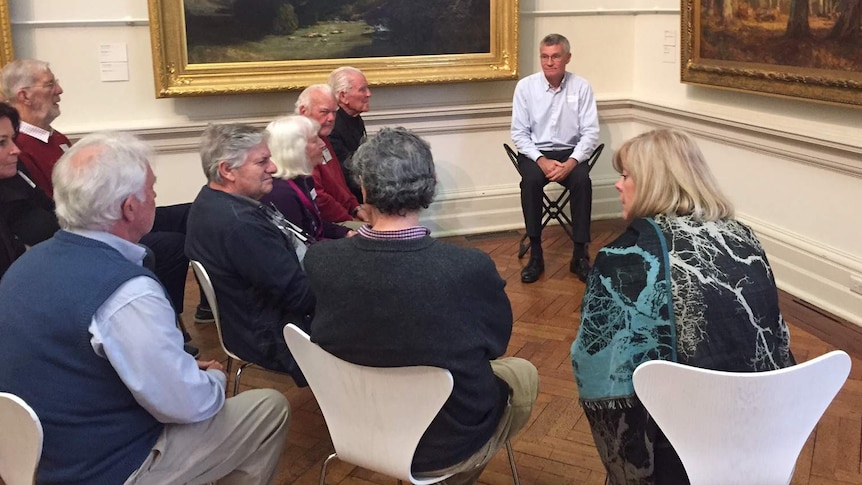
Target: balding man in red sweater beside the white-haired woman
(334, 198)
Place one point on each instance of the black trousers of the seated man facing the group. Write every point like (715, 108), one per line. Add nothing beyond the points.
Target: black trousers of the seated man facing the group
(533, 182)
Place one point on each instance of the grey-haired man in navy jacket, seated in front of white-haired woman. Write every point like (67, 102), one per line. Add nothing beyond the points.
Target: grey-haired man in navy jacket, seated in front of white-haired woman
(246, 248)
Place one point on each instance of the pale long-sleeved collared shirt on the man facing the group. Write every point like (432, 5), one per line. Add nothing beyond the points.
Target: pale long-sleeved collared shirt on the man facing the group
(545, 118)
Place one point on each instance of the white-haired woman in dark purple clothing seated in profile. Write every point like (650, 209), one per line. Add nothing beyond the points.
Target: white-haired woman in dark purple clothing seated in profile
(296, 150)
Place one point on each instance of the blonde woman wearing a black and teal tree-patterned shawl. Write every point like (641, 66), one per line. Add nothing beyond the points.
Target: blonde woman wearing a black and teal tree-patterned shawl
(686, 282)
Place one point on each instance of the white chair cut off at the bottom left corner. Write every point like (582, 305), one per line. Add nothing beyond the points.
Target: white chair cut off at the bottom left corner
(20, 441)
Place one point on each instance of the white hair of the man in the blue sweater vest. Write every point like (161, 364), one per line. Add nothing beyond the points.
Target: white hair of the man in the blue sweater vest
(95, 176)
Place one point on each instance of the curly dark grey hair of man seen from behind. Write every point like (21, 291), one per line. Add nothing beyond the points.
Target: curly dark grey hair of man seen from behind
(396, 169)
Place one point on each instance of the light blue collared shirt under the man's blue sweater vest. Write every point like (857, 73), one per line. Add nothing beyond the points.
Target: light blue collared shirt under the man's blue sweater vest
(135, 329)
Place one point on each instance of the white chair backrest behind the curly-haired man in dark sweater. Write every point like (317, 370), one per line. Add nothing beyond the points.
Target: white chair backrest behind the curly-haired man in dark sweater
(375, 416)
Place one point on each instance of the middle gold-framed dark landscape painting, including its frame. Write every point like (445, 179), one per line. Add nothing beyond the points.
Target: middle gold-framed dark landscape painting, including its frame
(204, 47)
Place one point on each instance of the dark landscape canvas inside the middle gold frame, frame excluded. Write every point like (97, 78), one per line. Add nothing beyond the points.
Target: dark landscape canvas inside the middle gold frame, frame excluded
(274, 30)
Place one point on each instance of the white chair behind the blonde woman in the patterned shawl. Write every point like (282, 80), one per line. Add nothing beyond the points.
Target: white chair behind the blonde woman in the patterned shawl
(740, 428)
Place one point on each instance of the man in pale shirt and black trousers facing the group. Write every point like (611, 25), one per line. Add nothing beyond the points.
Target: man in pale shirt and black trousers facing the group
(555, 127)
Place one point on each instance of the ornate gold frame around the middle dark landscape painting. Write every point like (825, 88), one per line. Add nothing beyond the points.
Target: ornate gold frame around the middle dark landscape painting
(176, 76)
